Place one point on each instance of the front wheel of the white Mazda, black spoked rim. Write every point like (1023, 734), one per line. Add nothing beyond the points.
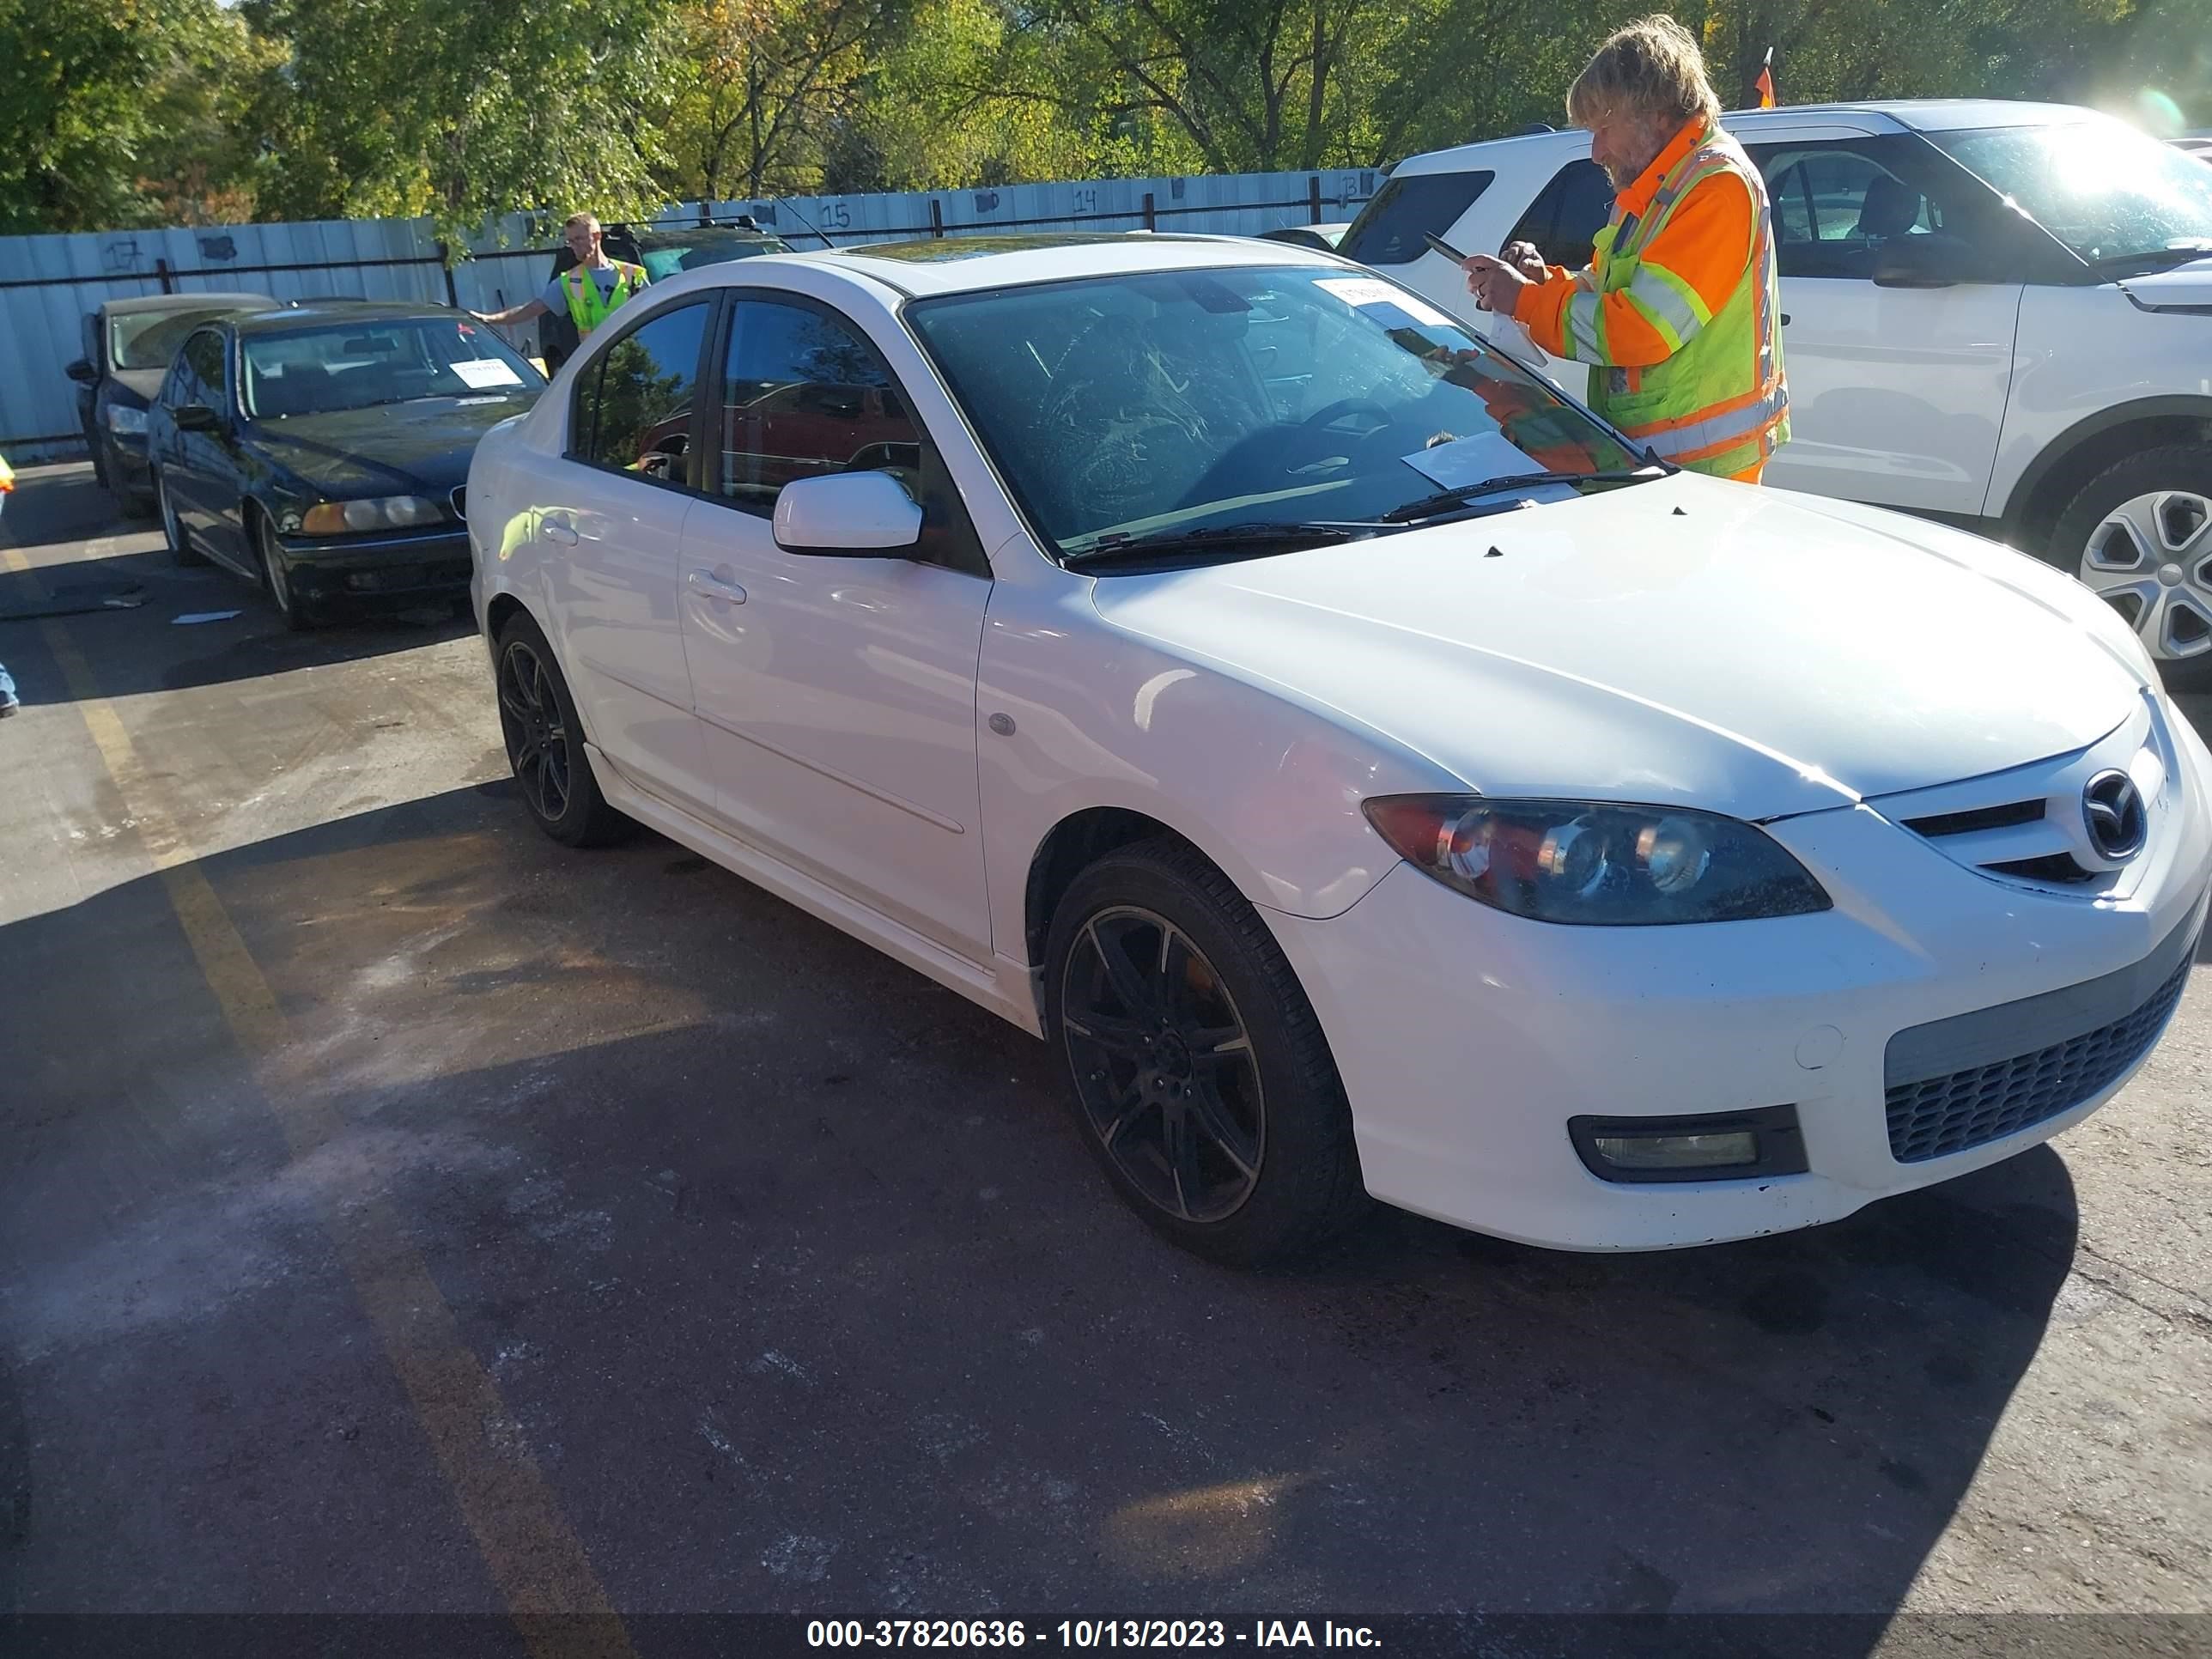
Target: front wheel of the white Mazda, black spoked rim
(1198, 1070)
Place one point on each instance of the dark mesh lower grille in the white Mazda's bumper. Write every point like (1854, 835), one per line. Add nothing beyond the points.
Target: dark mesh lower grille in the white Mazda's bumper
(1983, 1105)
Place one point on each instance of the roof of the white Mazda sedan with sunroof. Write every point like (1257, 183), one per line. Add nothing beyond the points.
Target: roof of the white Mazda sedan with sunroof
(968, 264)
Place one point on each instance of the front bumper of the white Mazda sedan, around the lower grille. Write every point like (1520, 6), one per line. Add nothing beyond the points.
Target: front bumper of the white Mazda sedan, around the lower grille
(1470, 1039)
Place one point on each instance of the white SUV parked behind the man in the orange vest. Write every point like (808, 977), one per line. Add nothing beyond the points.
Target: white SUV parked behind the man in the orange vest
(1999, 315)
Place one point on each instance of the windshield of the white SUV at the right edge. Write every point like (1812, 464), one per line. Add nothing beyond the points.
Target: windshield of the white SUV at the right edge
(2103, 189)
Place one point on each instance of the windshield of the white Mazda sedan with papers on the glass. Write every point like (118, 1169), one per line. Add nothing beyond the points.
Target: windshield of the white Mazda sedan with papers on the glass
(1127, 406)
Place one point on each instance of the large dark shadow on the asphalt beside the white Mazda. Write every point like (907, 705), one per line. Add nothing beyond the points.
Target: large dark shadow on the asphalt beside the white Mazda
(804, 1295)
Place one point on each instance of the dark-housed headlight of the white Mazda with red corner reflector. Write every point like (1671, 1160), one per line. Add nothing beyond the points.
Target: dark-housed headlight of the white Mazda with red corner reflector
(1594, 864)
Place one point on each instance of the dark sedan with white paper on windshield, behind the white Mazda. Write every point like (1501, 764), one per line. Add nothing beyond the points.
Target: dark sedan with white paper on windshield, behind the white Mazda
(322, 452)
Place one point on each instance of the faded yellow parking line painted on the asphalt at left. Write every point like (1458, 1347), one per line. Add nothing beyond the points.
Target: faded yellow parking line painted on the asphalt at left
(532, 1554)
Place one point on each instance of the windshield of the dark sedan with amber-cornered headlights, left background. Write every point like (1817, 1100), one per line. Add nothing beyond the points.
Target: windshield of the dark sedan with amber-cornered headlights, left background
(357, 366)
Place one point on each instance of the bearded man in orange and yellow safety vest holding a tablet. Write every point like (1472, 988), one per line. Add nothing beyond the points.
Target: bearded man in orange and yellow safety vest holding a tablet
(1678, 313)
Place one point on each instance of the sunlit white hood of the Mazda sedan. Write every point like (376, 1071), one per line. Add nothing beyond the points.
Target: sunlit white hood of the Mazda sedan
(1680, 643)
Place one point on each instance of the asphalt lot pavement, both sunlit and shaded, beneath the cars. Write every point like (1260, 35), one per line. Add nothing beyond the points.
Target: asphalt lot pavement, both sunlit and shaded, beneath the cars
(406, 1215)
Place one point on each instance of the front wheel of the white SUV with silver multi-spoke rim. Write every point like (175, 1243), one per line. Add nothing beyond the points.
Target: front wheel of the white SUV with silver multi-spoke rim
(2140, 534)
